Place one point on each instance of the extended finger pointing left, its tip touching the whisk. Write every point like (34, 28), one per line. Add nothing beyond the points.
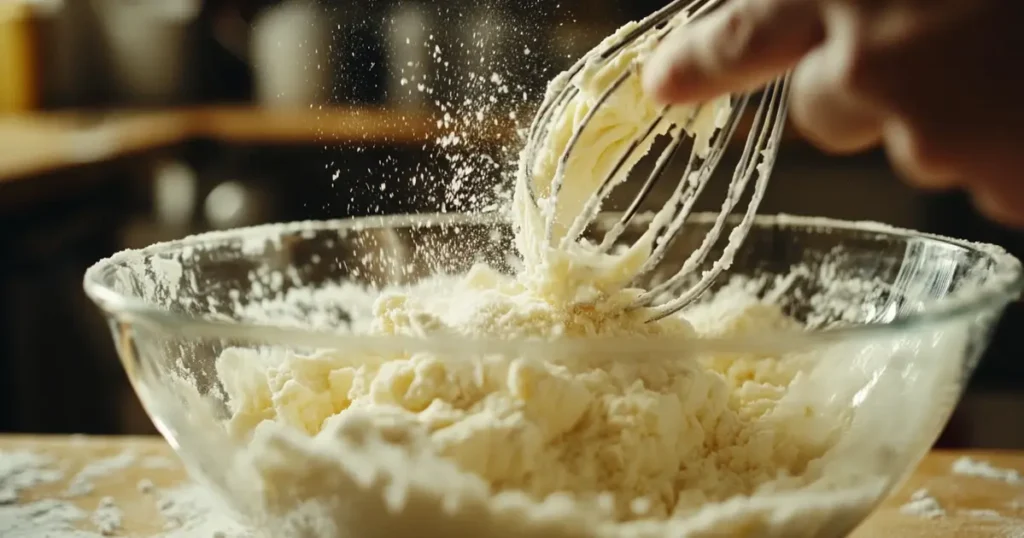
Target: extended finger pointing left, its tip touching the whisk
(741, 47)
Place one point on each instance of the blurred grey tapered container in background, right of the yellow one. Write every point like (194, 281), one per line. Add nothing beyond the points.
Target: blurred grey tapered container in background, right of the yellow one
(150, 49)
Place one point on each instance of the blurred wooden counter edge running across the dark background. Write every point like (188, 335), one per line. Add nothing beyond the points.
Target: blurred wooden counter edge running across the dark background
(39, 144)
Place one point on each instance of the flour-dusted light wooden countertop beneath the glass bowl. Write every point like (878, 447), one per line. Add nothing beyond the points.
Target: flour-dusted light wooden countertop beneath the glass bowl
(975, 508)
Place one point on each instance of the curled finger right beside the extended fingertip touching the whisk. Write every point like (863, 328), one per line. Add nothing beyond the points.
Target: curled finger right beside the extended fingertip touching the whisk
(827, 113)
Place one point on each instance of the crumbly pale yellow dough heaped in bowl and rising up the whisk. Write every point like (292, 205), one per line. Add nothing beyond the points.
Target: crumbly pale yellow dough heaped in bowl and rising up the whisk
(346, 444)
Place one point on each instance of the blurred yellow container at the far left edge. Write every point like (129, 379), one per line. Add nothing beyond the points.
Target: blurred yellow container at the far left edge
(19, 58)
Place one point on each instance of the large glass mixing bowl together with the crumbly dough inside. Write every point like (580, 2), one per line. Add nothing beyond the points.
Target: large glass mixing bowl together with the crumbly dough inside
(392, 377)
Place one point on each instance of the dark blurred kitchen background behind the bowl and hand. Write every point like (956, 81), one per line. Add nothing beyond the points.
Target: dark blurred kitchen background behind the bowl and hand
(129, 122)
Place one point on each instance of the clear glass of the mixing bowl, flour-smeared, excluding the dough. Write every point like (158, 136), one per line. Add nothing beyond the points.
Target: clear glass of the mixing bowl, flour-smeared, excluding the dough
(904, 318)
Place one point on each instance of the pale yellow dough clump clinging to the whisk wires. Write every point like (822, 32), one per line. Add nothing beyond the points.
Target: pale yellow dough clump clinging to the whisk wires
(575, 272)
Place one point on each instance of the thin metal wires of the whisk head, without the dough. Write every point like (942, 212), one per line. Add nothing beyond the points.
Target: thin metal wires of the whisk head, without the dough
(758, 157)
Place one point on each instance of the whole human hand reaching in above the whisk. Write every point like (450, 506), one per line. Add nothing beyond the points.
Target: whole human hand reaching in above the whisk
(941, 84)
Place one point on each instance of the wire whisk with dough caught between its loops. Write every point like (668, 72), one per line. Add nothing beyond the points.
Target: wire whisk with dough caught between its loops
(681, 126)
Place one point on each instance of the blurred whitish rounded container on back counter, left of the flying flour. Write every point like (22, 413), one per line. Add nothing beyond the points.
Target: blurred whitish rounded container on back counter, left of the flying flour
(290, 52)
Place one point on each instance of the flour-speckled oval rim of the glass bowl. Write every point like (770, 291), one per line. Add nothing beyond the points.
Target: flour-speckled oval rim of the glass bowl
(1004, 287)
